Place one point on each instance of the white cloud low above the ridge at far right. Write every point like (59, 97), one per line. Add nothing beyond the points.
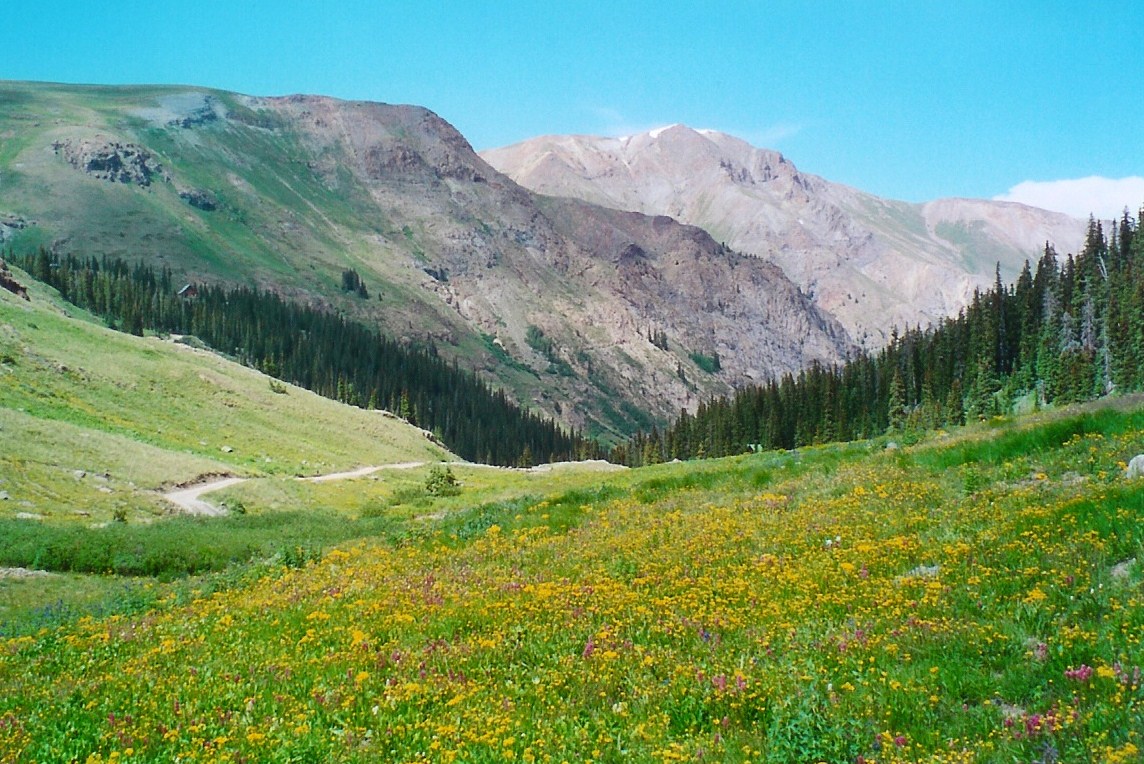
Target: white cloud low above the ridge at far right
(1103, 197)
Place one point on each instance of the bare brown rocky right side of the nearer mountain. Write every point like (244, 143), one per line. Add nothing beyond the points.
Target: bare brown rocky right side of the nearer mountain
(594, 282)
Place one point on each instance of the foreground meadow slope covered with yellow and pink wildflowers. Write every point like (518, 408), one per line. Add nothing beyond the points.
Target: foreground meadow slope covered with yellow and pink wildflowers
(975, 598)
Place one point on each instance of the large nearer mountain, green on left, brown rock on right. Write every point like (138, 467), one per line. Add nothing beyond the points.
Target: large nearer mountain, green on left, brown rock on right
(601, 319)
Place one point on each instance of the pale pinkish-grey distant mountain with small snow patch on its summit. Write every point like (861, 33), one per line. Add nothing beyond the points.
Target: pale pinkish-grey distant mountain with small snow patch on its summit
(871, 262)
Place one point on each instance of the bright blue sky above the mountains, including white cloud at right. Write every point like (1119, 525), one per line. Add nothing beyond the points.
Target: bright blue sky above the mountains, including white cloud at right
(910, 100)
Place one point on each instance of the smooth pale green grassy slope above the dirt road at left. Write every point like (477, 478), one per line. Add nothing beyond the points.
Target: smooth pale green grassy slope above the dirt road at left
(96, 420)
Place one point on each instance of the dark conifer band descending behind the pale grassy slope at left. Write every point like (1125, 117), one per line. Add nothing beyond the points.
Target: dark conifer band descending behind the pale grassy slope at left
(328, 354)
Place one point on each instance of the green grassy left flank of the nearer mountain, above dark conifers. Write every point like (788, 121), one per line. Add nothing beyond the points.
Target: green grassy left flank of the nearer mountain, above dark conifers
(266, 212)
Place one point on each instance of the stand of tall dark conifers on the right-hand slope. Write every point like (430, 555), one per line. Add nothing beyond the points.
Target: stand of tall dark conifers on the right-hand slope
(1067, 333)
